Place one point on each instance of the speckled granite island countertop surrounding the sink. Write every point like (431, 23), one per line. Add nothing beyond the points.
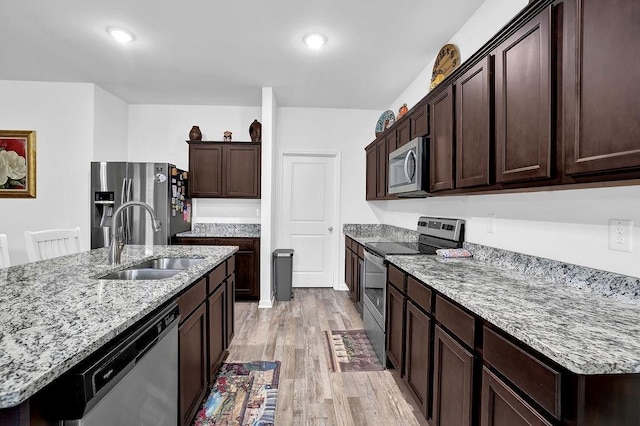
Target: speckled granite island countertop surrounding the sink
(55, 313)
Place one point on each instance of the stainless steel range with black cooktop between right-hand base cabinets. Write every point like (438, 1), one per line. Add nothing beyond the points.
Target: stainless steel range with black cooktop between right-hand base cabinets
(434, 233)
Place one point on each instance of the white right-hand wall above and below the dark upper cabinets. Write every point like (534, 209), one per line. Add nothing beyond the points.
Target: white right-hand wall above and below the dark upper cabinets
(566, 225)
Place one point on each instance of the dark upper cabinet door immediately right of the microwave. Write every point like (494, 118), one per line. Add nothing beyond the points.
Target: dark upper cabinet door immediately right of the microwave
(441, 145)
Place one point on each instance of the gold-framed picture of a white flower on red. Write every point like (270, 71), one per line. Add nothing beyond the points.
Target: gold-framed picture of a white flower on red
(17, 164)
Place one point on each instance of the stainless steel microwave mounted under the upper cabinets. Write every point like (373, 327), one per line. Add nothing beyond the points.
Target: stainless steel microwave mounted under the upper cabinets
(409, 169)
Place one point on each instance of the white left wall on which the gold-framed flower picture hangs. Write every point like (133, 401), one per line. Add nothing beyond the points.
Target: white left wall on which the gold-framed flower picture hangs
(62, 115)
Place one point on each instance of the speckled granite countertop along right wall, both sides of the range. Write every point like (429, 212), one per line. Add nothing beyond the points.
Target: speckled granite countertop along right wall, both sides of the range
(584, 319)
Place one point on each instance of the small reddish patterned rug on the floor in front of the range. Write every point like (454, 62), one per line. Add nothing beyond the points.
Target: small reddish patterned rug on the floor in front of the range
(350, 350)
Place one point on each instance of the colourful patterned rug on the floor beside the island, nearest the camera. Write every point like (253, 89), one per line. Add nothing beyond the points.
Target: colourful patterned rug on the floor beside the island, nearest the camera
(243, 394)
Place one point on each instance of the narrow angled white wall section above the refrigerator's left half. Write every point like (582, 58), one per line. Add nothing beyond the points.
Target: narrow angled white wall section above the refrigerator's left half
(111, 126)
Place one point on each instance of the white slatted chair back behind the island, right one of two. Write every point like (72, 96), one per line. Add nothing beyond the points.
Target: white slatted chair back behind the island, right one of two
(50, 243)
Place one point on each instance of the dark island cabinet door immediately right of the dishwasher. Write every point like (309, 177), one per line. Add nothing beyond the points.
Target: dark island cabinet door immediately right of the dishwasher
(193, 363)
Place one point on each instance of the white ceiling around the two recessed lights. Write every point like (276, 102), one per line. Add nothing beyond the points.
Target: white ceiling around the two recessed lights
(205, 52)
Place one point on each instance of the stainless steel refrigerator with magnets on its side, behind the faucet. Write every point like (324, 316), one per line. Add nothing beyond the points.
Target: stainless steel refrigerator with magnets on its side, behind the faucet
(161, 185)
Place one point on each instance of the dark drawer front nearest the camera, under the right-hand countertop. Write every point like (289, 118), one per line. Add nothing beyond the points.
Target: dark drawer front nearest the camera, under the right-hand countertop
(537, 380)
